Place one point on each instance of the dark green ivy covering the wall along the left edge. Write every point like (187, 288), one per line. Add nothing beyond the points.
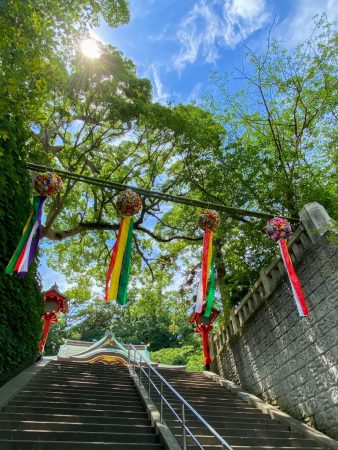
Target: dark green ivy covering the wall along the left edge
(21, 300)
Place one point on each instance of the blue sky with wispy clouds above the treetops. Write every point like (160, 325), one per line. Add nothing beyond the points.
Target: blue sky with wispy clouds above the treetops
(178, 43)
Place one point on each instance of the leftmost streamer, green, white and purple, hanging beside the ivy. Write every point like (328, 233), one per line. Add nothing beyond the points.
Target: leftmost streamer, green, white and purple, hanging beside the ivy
(28, 245)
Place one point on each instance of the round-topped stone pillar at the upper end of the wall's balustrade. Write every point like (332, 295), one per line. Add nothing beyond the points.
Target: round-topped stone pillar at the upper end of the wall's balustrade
(315, 219)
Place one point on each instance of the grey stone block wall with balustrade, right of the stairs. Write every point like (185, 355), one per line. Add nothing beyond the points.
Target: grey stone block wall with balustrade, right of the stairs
(272, 353)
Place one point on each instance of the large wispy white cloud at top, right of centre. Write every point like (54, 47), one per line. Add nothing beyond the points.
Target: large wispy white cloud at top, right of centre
(211, 25)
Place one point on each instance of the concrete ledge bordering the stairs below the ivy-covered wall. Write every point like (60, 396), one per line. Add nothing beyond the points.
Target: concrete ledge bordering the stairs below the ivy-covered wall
(16, 384)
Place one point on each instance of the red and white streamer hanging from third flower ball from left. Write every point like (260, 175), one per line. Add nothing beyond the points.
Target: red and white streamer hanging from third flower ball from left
(205, 271)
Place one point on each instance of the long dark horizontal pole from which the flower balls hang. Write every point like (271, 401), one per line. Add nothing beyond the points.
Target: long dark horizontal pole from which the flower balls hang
(160, 195)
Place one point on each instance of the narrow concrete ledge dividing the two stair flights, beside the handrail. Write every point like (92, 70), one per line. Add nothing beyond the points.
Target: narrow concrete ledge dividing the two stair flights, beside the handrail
(167, 438)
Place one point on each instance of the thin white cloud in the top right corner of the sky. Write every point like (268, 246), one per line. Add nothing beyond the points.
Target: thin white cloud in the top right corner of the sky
(299, 28)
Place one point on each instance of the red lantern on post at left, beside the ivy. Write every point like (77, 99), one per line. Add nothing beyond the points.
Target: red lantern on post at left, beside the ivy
(54, 302)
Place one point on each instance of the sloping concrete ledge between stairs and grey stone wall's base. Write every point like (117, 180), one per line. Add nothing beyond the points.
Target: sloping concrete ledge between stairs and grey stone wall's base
(275, 413)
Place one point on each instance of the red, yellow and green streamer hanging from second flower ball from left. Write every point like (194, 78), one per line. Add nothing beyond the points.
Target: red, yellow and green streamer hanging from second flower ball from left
(119, 267)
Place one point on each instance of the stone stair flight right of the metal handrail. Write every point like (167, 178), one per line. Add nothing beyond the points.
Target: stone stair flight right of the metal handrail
(242, 425)
